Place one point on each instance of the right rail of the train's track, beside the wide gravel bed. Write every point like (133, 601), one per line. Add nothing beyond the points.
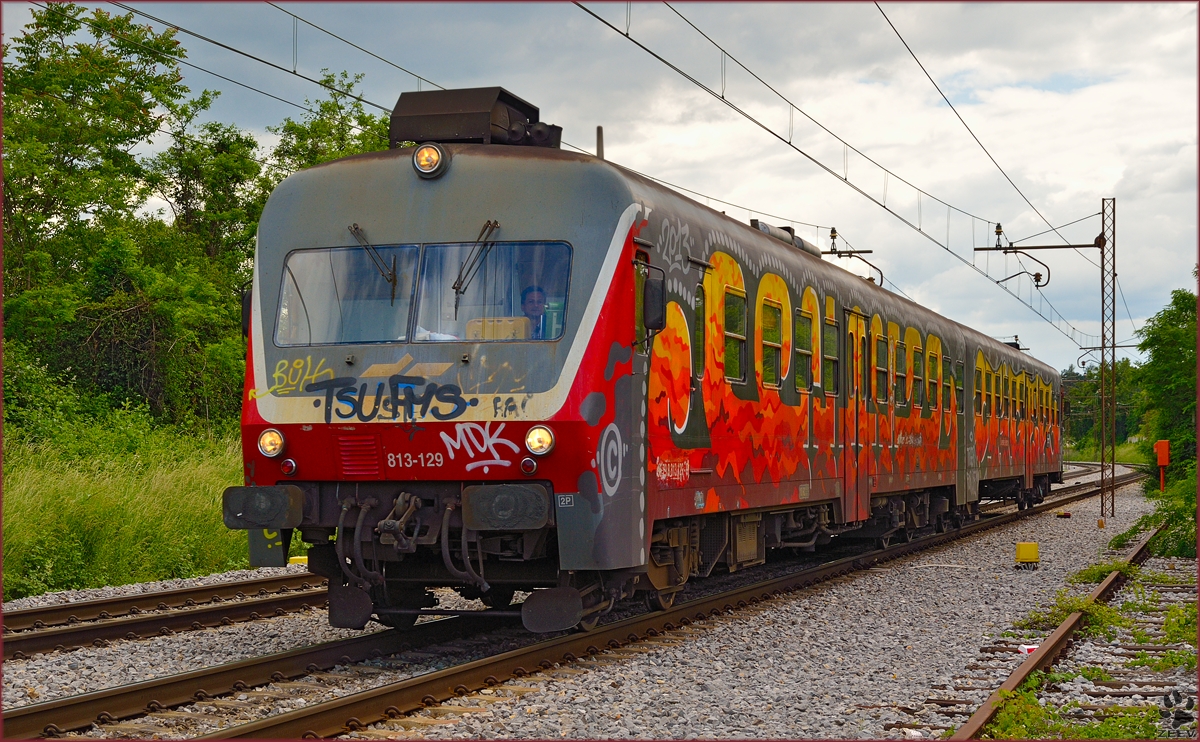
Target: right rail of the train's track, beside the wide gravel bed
(359, 710)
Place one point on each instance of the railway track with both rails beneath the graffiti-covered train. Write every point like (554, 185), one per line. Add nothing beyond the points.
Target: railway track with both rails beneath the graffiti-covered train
(254, 679)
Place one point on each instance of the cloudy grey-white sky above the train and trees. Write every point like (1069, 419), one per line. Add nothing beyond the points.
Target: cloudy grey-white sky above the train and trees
(1076, 101)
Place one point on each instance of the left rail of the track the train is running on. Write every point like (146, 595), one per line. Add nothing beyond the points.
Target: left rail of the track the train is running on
(109, 705)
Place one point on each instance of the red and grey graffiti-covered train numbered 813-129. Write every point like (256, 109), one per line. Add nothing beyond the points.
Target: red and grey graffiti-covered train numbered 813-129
(479, 362)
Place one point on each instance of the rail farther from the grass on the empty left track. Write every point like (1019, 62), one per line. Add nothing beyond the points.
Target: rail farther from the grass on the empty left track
(25, 644)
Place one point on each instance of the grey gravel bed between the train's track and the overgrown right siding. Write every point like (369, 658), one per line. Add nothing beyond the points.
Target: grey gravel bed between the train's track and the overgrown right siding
(833, 662)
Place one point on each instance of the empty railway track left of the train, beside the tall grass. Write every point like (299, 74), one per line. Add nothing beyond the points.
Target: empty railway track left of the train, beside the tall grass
(92, 623)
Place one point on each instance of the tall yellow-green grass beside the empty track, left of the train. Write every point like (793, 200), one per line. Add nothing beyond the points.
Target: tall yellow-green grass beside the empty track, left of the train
(115, 502)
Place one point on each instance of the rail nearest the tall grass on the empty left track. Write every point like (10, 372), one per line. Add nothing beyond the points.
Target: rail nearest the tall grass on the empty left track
(109, 608)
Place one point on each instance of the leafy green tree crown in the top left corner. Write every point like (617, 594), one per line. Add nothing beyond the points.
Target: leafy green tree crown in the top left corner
(75, 107)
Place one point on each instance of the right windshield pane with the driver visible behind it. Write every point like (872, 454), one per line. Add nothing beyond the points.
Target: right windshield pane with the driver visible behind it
(518, 291)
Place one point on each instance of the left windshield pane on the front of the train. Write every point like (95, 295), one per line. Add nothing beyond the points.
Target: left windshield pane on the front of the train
(339, 296)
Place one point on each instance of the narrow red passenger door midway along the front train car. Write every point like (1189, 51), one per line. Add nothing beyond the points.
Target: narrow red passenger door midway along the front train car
(857, 499)
